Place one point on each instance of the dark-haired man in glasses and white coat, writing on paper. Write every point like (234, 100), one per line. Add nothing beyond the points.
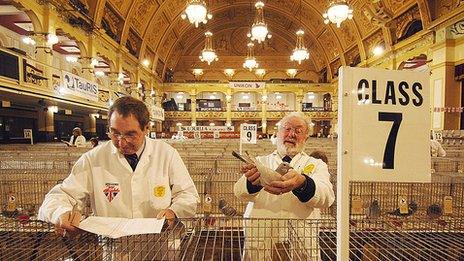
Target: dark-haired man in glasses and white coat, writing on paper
(132, 176)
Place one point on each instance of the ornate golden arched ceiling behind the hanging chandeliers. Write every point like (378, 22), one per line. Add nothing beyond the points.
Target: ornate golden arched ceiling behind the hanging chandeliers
(153, 29)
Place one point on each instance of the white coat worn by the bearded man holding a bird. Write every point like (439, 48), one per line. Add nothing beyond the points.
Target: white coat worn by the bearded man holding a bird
(273, 231)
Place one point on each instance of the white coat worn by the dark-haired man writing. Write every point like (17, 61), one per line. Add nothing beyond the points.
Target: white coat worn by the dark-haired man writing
(160, 181)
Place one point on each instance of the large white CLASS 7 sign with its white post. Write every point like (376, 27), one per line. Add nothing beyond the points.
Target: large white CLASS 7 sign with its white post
(384, 124)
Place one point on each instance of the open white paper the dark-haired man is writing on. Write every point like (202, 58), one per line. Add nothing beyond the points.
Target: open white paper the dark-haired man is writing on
(120, 227)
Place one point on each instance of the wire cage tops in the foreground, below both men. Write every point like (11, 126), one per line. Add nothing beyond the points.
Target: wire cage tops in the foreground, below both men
(241, 239)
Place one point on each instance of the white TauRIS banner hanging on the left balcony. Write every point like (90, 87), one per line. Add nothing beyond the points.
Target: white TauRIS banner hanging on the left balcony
(79, 86)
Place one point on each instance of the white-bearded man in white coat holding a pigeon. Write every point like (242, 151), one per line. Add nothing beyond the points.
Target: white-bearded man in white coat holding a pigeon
(299, 194)
